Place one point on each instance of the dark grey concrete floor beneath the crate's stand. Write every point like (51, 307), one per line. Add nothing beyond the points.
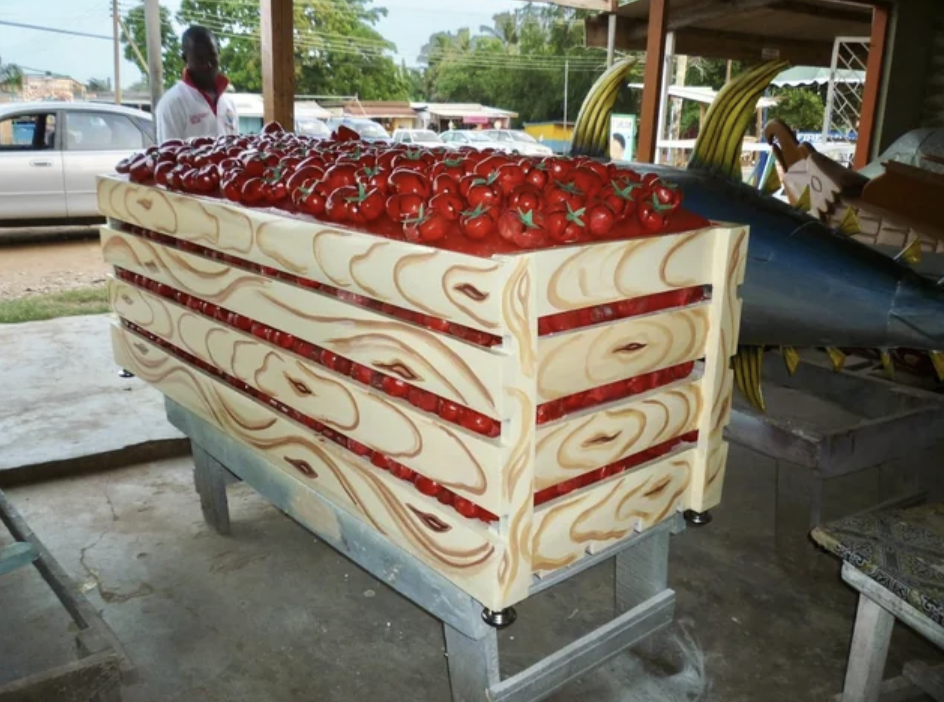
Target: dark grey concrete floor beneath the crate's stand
(270, 613)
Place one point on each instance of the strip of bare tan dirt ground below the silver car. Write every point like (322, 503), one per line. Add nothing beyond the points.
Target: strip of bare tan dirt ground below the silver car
(50, 266)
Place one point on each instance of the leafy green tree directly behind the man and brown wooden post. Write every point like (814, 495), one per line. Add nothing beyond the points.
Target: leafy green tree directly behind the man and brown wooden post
(337, 49)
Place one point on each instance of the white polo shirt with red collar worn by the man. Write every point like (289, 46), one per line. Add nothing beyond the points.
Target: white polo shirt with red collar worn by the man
(186, 111)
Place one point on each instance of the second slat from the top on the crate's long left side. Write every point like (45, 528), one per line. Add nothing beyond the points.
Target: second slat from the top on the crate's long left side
(462, 372)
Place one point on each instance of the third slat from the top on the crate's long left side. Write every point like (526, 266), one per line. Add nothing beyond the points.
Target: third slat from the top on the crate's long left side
(465, 462)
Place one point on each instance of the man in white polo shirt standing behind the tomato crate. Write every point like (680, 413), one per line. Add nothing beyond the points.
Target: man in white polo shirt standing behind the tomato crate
(198, 104)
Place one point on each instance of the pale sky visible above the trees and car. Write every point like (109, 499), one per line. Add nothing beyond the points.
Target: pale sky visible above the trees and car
(408, 24)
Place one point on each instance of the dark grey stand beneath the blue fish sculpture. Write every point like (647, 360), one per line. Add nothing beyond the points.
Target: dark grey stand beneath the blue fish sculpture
(890, 422)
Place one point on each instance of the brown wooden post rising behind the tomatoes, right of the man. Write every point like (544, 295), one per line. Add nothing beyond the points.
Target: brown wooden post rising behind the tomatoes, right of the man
(278, 62)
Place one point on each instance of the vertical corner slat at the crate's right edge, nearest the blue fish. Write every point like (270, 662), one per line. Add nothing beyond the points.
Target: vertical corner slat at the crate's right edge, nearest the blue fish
(724, 313)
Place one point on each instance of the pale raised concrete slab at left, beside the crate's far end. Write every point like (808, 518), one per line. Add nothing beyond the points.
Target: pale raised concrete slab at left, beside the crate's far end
(58, 380)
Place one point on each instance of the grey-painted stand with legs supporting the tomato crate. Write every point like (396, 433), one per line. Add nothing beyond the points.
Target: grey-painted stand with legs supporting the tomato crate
(644, 603)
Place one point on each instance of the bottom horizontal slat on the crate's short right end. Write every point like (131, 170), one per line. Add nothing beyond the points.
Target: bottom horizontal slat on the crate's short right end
(599, 515)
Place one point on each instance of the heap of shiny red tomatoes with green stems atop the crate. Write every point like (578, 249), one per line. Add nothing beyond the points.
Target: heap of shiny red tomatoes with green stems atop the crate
(421, 195)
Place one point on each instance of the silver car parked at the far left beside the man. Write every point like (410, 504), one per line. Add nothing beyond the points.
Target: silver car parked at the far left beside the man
(50, 153)
